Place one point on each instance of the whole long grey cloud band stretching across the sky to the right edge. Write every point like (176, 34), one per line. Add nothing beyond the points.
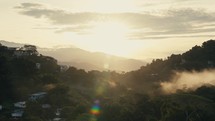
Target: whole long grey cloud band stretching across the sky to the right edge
(171, 23)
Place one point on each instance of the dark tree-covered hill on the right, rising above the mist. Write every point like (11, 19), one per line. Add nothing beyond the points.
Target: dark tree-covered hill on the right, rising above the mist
(197, 58)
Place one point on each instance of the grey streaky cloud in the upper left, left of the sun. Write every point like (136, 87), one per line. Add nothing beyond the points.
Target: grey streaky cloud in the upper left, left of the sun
(56, 16)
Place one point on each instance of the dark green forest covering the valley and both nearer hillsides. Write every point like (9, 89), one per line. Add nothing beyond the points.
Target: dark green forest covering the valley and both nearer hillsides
(132, 96)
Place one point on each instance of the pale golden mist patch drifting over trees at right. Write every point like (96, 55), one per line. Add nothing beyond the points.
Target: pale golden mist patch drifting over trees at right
(189, 81)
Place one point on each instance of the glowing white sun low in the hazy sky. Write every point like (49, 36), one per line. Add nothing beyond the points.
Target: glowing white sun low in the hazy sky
(109, 37)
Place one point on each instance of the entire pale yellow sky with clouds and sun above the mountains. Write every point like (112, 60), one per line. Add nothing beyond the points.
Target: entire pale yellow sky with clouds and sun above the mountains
(139, 29)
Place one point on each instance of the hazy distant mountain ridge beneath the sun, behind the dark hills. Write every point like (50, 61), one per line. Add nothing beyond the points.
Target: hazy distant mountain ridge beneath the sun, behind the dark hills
(83, 59)
